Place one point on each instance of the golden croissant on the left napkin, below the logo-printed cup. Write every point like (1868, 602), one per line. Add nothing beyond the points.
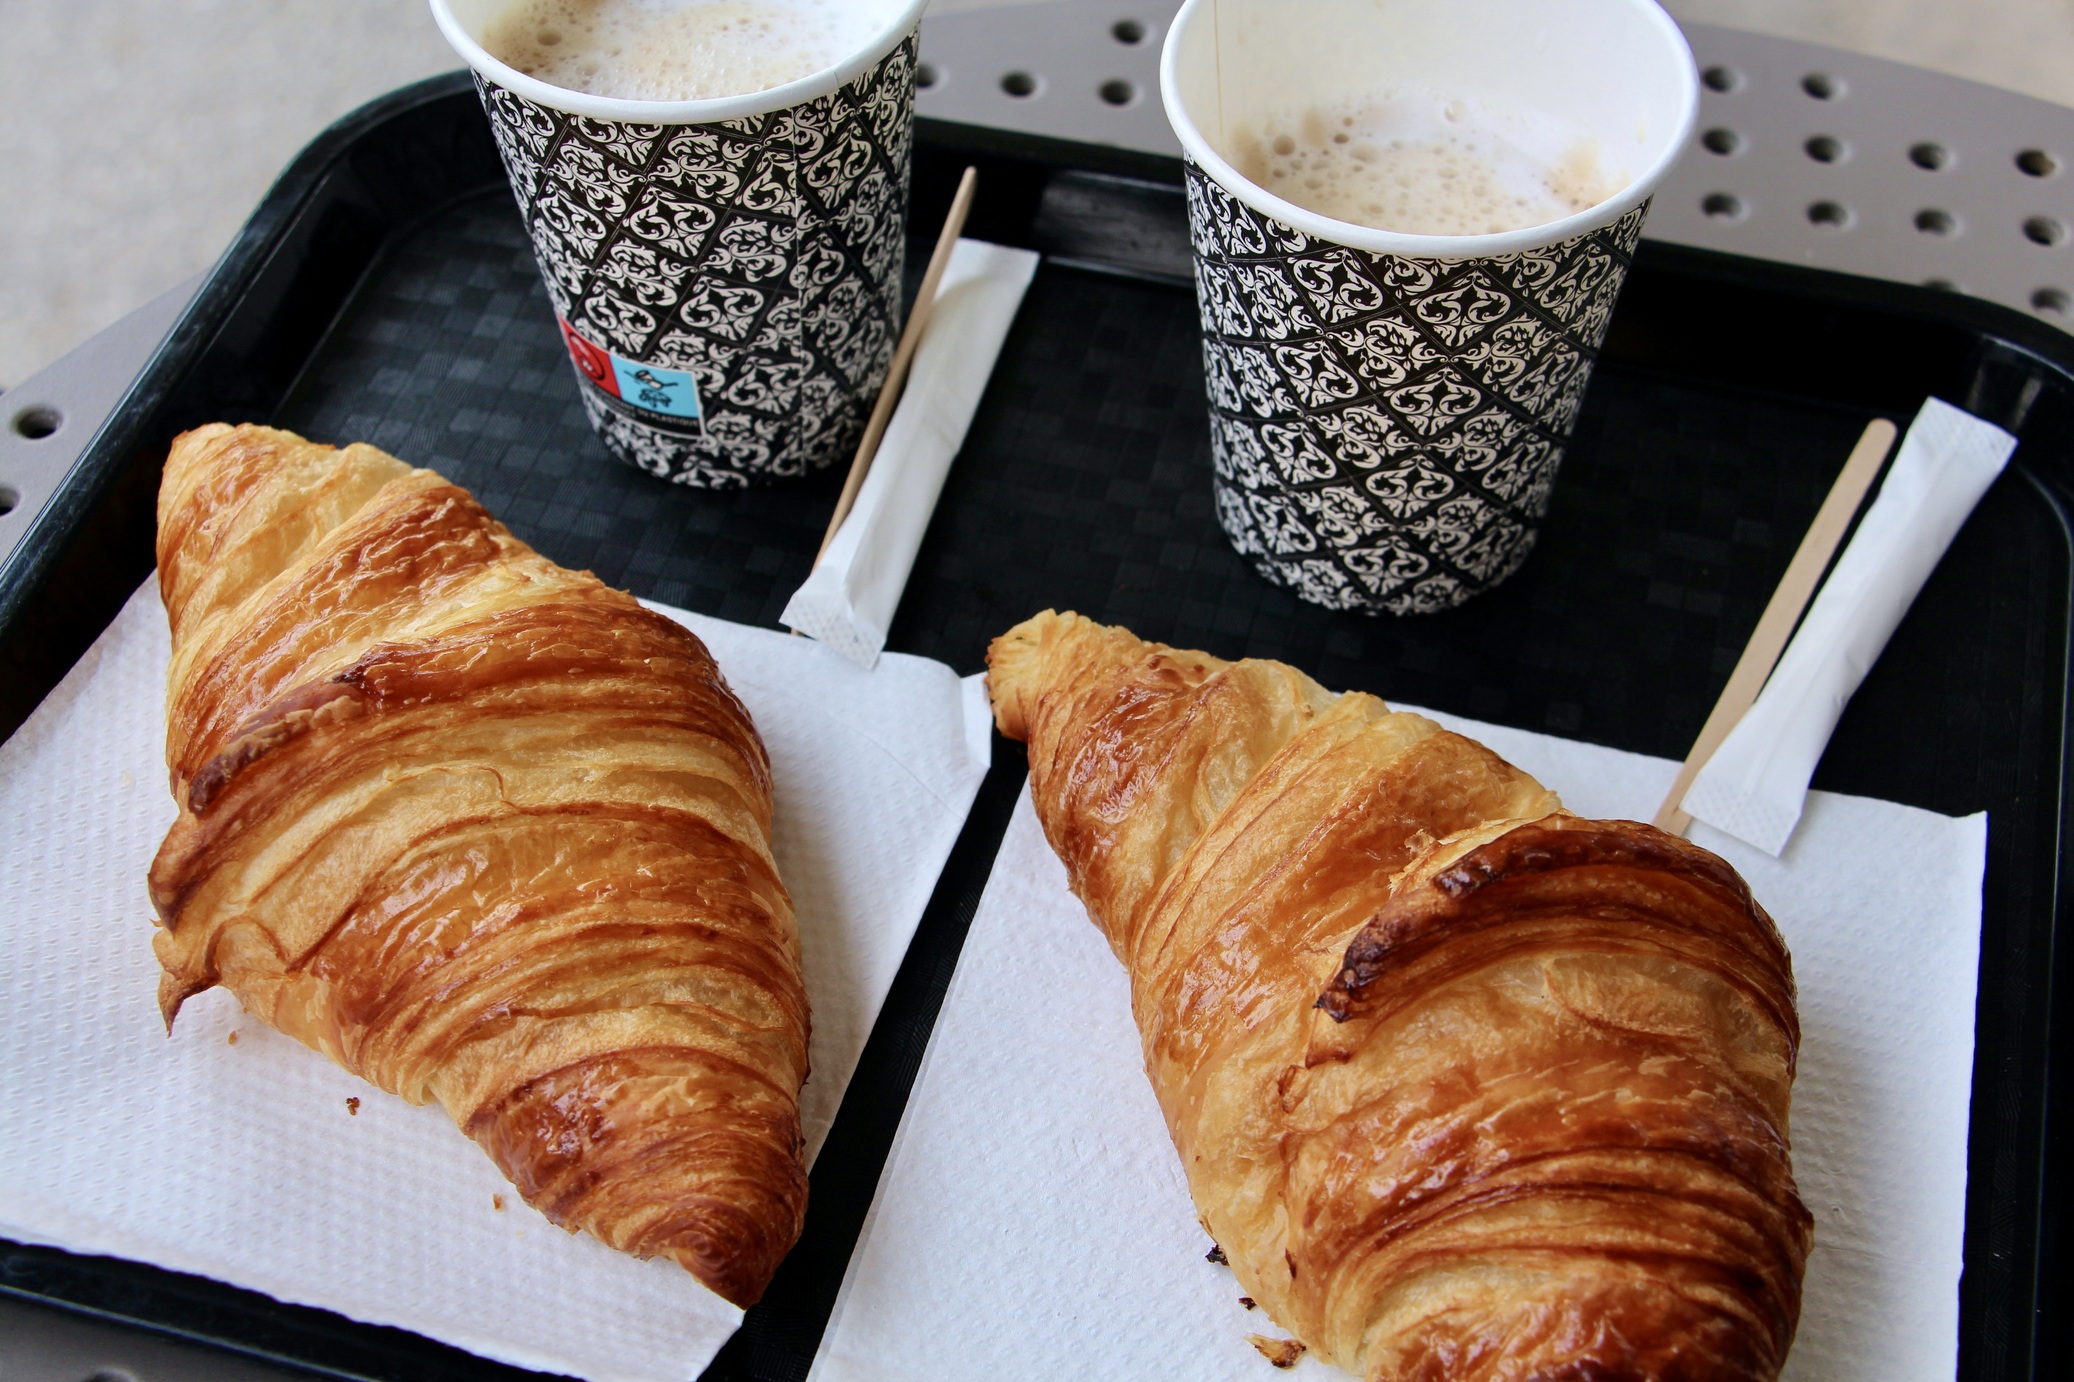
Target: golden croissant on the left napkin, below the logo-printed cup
(482, 831)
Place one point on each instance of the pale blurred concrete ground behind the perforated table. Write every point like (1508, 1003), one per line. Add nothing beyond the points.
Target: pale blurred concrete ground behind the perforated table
(136, 136)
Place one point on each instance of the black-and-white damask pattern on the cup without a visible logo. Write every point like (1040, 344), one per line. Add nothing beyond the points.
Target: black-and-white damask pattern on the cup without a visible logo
(1386, 431)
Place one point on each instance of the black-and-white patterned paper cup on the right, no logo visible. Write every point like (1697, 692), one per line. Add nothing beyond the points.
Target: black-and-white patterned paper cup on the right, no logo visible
(1389, 412)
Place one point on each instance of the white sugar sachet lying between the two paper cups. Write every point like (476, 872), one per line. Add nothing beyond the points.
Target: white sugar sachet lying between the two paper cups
(851, 597)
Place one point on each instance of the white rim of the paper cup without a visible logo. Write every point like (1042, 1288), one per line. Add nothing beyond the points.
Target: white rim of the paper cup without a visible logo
(1428, 246)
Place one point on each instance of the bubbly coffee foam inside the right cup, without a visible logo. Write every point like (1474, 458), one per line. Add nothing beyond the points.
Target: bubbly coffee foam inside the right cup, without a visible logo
(1424, 163)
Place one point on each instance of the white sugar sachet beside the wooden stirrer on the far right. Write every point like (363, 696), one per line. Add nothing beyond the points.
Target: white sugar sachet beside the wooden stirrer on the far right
(1758, 781)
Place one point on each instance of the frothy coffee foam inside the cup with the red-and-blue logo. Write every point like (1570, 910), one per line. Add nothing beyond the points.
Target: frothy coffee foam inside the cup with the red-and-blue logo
(679, 51)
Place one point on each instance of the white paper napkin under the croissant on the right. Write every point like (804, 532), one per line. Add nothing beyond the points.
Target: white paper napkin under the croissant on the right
(1034, 1219)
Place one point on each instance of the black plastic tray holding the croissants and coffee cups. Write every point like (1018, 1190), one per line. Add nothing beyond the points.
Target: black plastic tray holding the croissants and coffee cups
(385, 292)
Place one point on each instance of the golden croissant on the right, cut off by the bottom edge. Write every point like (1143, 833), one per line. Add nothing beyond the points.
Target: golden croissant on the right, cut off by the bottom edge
(1465, 1086)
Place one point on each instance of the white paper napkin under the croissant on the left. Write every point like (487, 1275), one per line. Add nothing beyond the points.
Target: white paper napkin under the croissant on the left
(244, 1163)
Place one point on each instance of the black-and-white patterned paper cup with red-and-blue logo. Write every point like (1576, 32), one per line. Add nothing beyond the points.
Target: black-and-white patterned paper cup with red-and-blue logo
(727, 273)
